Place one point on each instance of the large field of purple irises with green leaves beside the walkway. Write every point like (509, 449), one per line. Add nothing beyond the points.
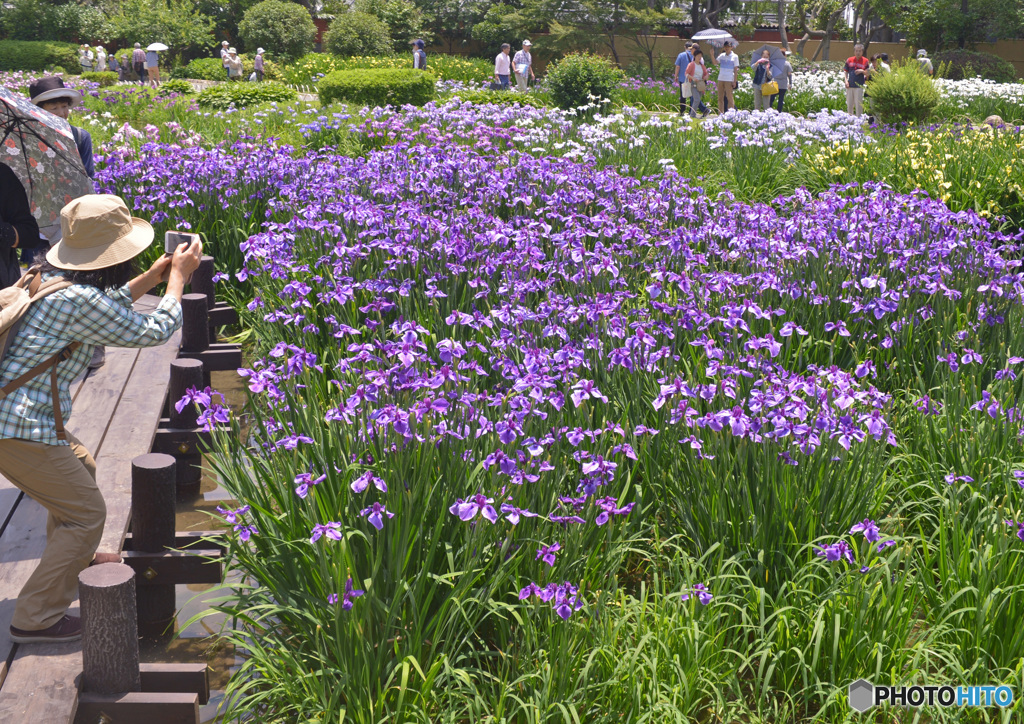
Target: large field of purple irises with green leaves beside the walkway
(608, 418)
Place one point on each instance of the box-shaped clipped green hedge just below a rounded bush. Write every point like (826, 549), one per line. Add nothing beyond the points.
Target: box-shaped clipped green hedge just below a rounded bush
(377, 88)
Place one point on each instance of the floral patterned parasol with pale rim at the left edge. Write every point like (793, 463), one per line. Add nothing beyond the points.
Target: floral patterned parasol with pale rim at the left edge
(40, 149)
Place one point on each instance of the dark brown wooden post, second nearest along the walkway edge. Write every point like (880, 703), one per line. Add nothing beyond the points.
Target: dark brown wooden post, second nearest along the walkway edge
(154, 485)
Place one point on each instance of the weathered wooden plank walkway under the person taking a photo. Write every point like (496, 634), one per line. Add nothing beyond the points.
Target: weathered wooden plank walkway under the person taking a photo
(116, 413)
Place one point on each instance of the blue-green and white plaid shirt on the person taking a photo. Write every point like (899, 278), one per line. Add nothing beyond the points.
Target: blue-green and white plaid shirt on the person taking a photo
(78, 314)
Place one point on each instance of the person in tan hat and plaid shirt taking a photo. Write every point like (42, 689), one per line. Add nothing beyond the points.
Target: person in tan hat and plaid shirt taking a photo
(90, 289)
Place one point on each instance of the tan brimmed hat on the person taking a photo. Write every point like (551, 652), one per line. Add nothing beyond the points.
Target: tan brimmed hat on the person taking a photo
(98, 231)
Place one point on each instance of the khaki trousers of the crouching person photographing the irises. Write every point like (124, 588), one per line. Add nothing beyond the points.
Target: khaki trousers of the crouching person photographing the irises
(63, 480)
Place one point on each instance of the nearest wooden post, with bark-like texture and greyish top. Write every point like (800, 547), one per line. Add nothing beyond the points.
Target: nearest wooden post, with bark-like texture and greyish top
(110, 634)
